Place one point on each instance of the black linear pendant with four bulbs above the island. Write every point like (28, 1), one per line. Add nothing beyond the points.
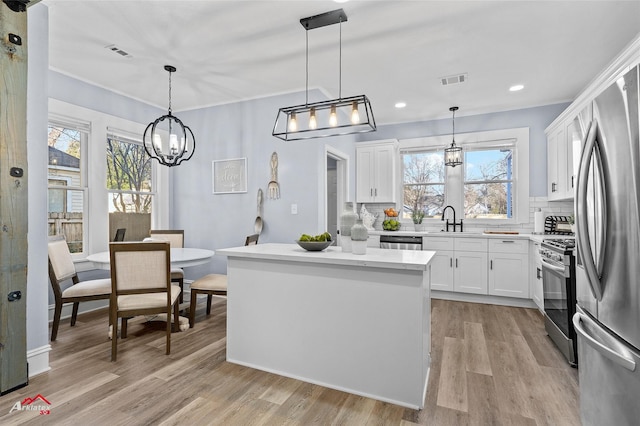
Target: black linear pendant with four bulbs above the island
(333, 117)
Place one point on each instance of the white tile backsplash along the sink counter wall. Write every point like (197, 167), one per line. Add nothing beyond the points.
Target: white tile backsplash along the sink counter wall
(549, 208)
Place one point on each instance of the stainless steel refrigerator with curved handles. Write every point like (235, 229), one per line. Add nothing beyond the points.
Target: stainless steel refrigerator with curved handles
(607, 319)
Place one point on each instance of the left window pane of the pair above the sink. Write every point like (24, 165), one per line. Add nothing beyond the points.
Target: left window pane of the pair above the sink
(423, 182)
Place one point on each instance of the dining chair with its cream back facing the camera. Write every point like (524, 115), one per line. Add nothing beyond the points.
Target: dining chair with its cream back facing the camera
(141, 285)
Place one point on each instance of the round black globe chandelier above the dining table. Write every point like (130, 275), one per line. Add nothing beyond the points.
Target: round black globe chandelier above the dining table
(167, 139)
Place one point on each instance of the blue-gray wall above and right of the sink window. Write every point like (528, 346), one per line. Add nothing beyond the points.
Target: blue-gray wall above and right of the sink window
(536, 119)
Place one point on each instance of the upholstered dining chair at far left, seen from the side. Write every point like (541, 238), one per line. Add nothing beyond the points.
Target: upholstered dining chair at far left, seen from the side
(62, 269)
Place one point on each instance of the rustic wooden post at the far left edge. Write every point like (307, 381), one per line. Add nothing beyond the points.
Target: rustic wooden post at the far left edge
(13, 199)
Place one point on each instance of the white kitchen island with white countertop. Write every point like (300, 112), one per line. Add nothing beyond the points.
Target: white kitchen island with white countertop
(356, 323)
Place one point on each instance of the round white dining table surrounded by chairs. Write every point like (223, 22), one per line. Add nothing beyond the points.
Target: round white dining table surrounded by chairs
(180, 258)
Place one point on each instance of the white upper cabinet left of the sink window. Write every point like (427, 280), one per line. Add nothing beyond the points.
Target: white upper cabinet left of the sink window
(376, 171)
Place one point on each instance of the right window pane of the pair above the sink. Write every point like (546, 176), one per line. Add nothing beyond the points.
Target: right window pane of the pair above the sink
(488, 183)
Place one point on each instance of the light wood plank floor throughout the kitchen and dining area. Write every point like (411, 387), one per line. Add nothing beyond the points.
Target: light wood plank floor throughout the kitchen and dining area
(491, 365)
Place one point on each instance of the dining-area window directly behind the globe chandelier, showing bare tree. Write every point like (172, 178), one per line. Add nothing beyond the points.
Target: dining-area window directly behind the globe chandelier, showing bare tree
(130, 187)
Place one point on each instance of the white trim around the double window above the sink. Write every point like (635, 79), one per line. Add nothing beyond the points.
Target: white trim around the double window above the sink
(454, 175)
